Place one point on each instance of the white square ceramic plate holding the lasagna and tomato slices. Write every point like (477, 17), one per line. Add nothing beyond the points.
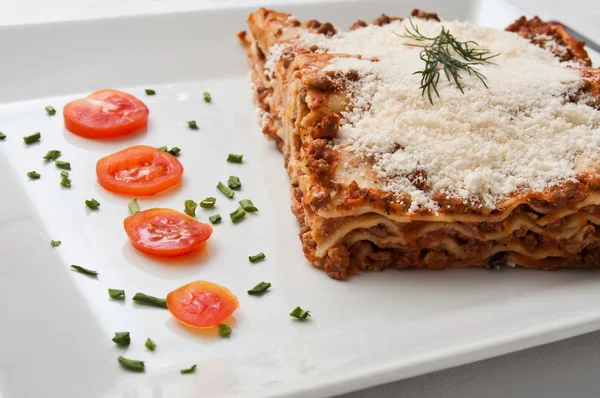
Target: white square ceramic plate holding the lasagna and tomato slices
(57, 325)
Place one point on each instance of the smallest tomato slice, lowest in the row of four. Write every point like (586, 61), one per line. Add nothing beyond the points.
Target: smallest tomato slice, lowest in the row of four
(202, 304)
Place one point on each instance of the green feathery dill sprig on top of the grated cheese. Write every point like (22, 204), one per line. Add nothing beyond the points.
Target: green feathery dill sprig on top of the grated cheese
(438, 54)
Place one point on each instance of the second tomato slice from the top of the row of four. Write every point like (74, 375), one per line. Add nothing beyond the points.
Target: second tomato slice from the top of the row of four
(139, 171)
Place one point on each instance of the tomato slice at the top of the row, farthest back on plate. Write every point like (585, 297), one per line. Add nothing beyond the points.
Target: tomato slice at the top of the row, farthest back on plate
(105, 114)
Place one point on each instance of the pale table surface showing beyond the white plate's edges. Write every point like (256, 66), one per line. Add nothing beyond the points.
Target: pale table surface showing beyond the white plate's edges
(557, 370)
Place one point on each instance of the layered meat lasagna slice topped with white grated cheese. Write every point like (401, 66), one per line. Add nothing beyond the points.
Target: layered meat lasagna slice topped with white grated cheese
(503, 169)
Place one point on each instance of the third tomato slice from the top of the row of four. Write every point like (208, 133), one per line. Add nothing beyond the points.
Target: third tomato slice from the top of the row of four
(165, 232)
